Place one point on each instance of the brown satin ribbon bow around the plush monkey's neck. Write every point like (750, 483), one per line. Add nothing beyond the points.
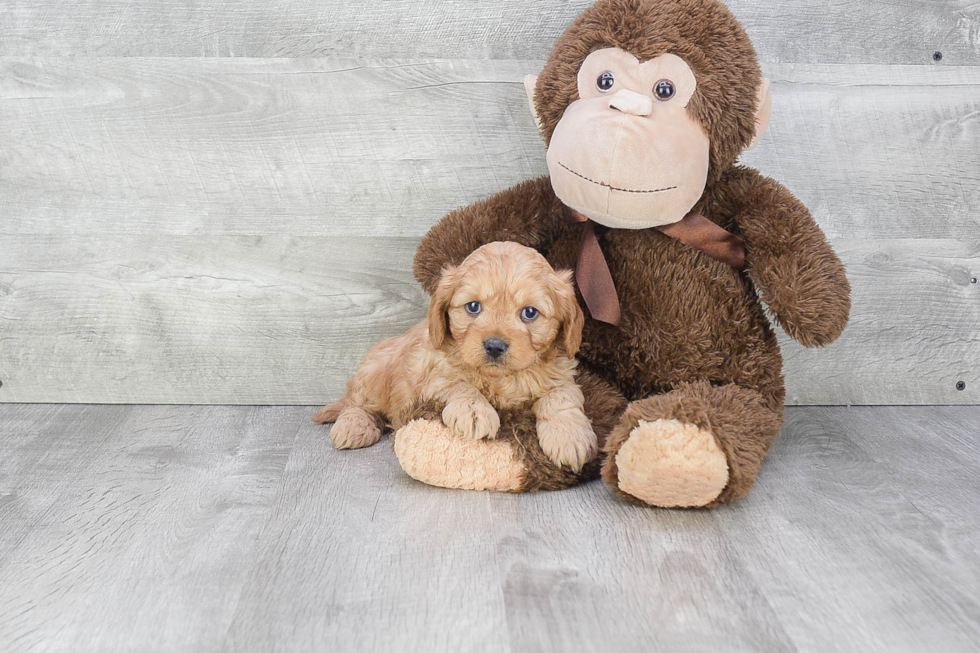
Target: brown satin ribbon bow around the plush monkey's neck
(592, 272)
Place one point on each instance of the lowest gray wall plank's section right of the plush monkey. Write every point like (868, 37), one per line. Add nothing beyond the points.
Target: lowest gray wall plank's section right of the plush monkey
(913, 332)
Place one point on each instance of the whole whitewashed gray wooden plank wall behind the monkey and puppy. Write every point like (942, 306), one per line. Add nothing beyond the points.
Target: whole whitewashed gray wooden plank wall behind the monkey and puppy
(206, 201)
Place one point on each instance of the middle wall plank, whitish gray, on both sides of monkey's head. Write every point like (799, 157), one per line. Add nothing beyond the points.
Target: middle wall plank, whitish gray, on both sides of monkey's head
(369, 148)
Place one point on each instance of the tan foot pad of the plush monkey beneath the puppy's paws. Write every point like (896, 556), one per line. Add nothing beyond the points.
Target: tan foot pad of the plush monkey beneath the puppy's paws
(429, 452)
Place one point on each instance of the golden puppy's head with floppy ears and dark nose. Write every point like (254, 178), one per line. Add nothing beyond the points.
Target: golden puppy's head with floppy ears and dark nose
(504, 309)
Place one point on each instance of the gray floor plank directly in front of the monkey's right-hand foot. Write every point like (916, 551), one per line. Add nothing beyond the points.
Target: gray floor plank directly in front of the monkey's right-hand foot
(610, 576)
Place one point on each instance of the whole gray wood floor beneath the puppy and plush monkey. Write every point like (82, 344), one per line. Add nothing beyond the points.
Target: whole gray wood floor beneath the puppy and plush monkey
(242, 529)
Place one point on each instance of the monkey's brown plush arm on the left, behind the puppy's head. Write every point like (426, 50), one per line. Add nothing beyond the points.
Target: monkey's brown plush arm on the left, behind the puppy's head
(523, 214)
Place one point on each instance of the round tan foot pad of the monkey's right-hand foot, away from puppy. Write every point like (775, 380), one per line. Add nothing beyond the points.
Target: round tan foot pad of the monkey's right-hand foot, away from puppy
(670, 464)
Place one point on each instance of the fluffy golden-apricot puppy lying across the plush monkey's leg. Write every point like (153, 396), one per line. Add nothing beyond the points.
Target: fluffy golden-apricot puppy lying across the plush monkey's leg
(503, 329)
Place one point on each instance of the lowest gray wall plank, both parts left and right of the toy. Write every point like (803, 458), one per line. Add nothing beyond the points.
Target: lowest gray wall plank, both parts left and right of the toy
(252, 319)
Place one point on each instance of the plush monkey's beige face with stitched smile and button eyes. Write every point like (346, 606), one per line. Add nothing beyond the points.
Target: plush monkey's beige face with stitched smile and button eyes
(627, 153)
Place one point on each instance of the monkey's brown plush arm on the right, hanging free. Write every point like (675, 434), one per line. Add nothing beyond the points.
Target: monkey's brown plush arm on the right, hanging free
(789, 260)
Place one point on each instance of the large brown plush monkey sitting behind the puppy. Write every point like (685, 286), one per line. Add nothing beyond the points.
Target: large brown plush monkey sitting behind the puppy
(645, 106)
